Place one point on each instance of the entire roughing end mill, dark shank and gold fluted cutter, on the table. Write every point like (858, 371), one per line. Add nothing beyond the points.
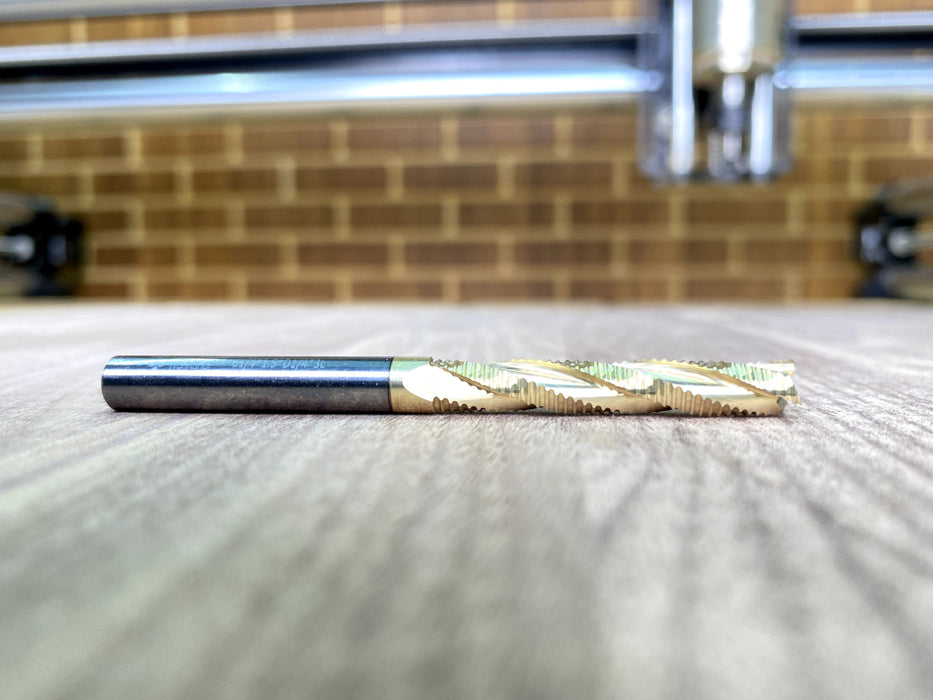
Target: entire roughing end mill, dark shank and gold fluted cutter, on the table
(424, 385)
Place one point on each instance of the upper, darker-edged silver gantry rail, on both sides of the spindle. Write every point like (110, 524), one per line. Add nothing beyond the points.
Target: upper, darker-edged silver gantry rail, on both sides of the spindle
(815, 34)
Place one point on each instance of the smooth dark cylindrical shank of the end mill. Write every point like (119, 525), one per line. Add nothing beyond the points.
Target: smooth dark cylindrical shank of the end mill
(272, 384)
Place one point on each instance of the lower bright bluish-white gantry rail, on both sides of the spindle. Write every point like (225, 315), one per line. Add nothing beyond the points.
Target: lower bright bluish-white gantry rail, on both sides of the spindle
(587, 77)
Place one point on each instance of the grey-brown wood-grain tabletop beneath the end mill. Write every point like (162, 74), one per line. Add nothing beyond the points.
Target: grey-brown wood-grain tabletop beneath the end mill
(241, 556)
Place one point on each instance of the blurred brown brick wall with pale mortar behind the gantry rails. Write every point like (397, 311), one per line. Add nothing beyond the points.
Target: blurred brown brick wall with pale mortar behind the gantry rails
(468, 204)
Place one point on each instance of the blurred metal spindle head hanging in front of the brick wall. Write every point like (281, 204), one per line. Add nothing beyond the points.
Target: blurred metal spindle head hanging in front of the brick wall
(715, 110)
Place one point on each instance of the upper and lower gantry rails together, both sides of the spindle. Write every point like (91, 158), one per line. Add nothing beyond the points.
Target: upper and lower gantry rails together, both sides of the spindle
(541, 60)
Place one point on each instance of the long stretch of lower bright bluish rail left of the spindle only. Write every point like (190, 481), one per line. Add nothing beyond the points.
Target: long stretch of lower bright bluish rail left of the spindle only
(588, 76)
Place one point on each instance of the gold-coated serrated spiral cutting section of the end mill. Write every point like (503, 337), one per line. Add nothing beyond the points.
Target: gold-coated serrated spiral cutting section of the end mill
(695, 388)
